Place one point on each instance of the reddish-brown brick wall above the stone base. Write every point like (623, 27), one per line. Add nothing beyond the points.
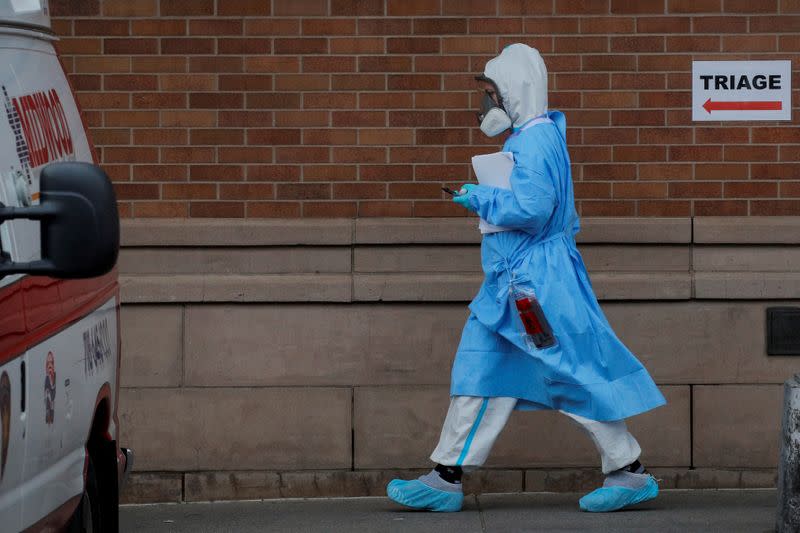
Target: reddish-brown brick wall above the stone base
(290, 108)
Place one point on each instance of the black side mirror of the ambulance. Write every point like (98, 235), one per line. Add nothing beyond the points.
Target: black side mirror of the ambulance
(79, 223)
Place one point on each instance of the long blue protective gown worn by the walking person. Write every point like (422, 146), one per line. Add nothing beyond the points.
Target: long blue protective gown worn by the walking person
(589, 372)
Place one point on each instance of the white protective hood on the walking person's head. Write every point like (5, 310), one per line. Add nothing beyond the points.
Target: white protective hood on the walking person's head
(521, 78)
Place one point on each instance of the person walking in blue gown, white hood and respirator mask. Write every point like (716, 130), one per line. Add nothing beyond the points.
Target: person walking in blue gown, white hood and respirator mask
(578, 366)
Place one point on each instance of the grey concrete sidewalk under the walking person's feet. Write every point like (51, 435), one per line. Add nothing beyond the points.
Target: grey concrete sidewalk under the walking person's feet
(682, 511)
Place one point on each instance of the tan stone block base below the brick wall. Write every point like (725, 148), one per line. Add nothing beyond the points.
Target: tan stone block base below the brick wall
(295, 358)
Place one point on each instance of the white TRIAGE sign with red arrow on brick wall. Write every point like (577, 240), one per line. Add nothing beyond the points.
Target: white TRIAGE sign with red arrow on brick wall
(741, 90)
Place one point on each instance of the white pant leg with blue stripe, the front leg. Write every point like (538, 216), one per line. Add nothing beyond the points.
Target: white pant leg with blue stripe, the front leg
(470, 429)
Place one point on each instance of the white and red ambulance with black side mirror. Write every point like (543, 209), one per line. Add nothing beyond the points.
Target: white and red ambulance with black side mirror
(60, 463)
